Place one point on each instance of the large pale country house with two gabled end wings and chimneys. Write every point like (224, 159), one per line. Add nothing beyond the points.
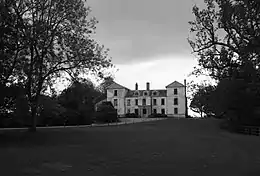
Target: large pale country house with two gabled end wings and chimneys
(170, 101)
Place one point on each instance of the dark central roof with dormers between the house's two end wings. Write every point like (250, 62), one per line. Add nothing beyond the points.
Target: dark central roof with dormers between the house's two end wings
(153, 93)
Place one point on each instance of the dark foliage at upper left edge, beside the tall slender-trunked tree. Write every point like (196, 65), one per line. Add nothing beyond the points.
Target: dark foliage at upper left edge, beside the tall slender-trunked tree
(11, 46)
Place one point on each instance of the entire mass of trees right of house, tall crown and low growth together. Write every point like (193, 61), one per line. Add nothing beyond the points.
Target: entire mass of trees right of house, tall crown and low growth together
(225, 37)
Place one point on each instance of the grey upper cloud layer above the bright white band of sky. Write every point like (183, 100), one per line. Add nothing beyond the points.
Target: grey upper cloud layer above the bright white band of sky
(140, 30)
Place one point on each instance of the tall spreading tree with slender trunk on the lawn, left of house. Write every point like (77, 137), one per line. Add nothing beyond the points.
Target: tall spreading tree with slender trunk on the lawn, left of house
(56, 37)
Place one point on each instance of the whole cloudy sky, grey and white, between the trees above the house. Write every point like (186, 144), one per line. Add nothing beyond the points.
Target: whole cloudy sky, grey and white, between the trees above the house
(147, 39)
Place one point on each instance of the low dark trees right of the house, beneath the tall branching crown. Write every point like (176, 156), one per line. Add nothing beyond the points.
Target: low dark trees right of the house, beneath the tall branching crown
(232, 99)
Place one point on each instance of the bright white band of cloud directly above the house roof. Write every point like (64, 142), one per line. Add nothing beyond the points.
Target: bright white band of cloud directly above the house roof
(159, 72)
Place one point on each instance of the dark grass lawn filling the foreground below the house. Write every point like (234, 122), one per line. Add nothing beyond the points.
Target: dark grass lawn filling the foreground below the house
(168, 147)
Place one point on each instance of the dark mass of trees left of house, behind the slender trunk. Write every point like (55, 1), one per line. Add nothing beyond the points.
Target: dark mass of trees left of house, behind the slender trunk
(73, 106)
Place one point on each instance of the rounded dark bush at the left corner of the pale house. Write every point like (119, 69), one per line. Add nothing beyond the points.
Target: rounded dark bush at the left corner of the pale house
(106, 113)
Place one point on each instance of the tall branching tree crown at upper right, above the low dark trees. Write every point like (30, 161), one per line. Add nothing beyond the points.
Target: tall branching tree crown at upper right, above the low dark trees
(226, 36)
